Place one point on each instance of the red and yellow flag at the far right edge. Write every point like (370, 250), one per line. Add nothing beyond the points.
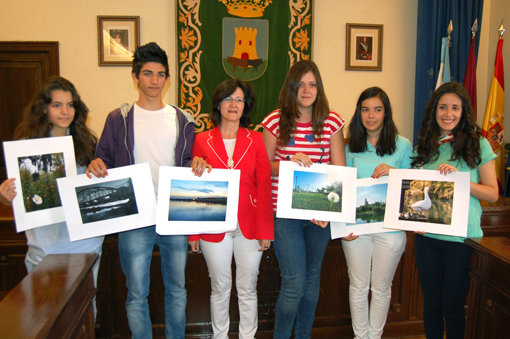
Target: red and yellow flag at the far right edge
(494, 119)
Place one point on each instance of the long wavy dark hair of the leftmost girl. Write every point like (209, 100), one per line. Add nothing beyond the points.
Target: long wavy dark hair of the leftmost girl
(35, 123)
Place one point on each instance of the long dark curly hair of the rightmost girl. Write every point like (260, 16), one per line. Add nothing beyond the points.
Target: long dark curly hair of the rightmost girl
(467, 134)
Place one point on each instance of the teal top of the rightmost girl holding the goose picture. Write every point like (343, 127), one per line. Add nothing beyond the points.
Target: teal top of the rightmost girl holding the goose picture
(475, 209)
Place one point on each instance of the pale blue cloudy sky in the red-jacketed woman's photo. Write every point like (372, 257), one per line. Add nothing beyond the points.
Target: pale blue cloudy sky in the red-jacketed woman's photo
(195, 188)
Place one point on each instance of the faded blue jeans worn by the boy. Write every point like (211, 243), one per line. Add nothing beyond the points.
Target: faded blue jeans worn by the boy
(135, 248)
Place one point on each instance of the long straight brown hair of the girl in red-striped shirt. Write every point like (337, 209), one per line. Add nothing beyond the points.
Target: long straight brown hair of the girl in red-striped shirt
(289, 111)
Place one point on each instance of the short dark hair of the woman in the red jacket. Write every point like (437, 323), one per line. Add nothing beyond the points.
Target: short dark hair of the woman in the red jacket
(225, 89)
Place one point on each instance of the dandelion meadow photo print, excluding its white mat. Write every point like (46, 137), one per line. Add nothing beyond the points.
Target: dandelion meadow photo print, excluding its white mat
(316, 191)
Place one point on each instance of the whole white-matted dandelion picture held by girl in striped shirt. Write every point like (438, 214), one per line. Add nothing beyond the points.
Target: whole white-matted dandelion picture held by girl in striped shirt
(317, 192)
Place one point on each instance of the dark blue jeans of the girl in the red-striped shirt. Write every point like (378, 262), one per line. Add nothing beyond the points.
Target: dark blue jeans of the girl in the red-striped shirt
(299, 247)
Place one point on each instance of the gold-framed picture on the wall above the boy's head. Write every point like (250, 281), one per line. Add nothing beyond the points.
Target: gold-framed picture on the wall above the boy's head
(118, 37)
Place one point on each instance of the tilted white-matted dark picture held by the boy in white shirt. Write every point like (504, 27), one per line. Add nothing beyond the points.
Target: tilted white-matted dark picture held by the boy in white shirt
(122, 201)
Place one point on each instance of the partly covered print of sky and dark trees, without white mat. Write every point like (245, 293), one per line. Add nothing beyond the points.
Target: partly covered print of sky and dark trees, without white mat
(370, 203)
